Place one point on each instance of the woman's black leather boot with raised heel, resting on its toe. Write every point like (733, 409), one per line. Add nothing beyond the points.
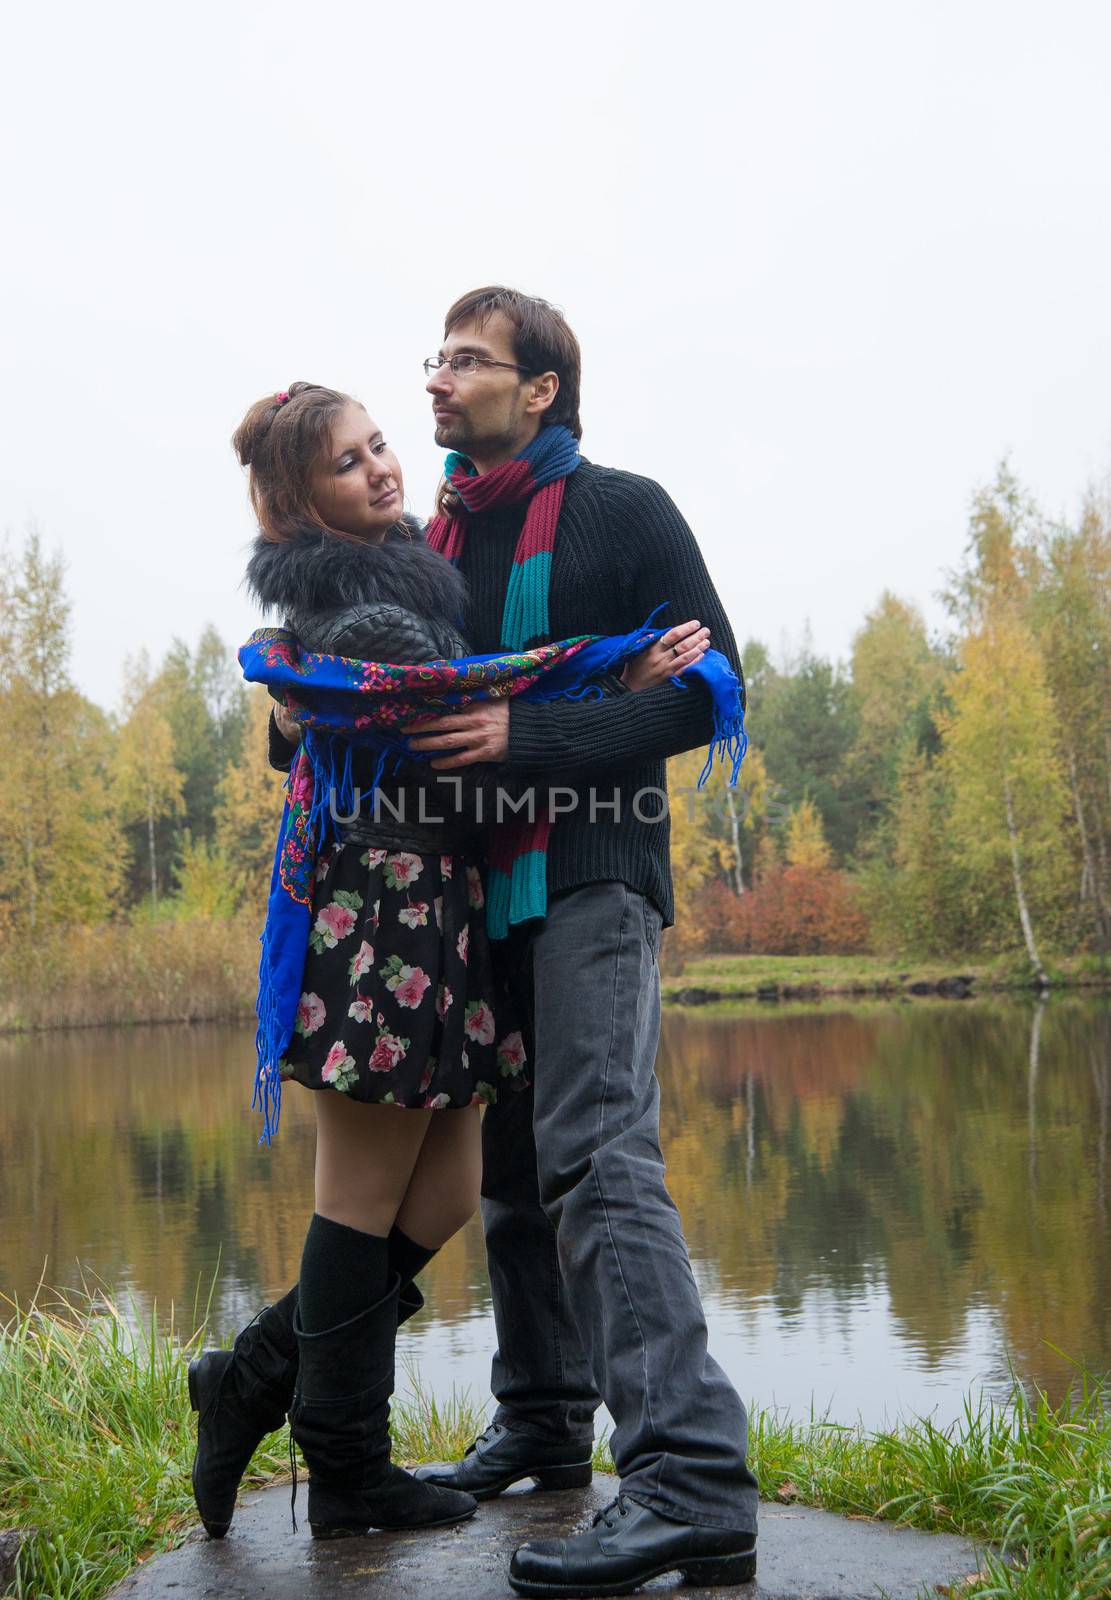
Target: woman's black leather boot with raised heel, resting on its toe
(241, 1396)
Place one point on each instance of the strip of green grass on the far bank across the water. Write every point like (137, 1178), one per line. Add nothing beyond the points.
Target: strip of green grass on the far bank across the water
(740, 977)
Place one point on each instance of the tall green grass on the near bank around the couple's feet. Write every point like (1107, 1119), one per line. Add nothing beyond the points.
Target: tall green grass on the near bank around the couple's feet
(97, 1442)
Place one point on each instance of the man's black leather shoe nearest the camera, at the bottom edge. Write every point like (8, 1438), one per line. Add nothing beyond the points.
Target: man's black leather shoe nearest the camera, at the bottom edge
(627, 1546)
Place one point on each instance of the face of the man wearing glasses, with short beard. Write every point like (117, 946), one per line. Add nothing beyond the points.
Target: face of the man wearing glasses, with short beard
(483, 414)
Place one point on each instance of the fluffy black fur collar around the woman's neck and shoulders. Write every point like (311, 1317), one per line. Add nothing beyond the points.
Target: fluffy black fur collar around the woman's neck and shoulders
(319, 574)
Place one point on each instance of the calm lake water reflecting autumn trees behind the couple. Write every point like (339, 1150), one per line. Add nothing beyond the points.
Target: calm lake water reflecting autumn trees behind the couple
(888, 1206)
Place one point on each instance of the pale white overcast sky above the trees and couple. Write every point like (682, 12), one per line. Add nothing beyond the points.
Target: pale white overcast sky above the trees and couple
(828, 263)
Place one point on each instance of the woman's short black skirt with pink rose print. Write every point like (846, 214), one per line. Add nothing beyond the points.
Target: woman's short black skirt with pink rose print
(399, 1002)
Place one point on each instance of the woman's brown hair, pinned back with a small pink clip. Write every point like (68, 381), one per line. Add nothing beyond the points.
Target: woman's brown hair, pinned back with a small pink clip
(279, 441)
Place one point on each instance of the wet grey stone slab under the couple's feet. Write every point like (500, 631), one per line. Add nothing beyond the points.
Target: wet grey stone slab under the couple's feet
(803, 1556)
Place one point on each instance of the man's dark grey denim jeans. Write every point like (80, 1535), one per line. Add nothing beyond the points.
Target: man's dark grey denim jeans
(593, 1290)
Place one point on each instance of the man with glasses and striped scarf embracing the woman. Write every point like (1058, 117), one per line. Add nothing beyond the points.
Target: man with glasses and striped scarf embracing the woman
(593, 1287)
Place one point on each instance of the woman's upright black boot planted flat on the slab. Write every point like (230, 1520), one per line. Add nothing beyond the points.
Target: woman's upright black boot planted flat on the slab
(340, 1420)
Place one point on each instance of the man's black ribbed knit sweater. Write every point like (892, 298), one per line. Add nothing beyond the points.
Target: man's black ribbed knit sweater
(622, 548)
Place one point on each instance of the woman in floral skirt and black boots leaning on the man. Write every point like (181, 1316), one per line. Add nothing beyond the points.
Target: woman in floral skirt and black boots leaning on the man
(399, 1006)
